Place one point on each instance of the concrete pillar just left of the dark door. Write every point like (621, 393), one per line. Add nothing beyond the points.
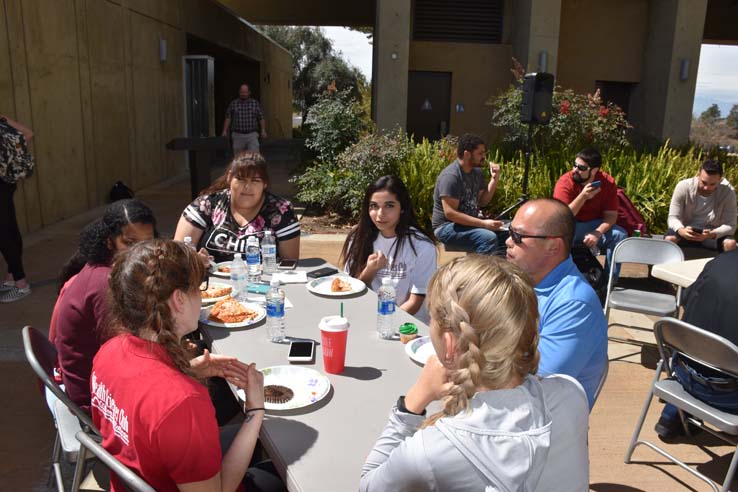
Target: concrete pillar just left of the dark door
(391, 53)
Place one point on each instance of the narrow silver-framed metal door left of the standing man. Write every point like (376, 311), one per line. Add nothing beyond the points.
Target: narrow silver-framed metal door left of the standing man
(199, 98)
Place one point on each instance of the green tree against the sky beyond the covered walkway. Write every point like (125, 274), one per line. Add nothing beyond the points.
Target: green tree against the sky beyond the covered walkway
(316, 65)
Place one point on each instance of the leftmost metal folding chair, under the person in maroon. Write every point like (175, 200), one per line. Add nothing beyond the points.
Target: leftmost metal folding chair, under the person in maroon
(68, 417)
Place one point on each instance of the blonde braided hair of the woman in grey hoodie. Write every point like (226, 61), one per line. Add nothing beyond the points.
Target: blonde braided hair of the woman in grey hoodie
(490, 306)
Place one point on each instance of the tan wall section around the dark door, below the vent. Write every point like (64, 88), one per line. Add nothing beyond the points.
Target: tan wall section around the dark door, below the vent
(478, 72)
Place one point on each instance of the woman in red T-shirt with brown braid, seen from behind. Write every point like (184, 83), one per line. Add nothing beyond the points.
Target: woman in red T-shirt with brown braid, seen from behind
(154, 413)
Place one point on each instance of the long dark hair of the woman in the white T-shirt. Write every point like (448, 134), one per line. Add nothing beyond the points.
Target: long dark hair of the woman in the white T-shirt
(360, 241)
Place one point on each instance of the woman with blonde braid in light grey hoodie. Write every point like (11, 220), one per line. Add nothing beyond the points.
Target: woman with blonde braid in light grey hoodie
(501, 427)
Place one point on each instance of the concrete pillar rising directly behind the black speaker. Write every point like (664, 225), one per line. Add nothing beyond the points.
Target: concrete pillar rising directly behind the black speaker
(535, 36)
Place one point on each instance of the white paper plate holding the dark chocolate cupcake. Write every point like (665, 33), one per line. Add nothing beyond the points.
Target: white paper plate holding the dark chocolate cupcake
(308, 386)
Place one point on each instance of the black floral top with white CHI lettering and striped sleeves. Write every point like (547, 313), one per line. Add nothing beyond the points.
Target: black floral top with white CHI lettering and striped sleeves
(223, 236)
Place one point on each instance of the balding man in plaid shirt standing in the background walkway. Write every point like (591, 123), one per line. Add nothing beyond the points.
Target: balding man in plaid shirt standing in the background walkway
(245, 119)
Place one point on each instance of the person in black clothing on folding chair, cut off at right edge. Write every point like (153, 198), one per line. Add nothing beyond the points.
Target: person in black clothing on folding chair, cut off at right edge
(711, 304)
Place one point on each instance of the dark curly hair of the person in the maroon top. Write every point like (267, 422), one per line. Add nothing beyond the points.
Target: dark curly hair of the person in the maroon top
(95, 238)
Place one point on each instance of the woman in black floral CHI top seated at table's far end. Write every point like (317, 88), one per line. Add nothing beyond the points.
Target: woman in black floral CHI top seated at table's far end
(237, 205)
